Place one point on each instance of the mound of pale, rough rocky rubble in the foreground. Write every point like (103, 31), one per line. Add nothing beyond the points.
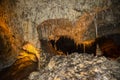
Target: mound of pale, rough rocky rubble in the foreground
(78, 67)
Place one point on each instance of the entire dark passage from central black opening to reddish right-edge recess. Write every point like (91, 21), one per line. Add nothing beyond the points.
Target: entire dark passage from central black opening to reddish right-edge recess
(109, 45)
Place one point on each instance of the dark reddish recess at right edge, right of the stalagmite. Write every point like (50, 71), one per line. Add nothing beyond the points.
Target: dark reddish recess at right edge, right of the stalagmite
(110, 45)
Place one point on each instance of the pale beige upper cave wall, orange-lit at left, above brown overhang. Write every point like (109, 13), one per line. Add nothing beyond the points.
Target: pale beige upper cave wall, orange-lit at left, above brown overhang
(24, 16)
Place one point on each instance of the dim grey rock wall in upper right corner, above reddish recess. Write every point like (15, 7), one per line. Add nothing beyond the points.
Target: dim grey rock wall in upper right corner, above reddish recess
(108, 21)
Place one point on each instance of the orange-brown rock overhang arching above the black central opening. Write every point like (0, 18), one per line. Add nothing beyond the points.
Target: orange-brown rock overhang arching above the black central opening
(52, 29)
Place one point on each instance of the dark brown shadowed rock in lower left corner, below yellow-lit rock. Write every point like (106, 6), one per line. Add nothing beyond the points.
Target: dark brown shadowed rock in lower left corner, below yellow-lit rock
(19, 70)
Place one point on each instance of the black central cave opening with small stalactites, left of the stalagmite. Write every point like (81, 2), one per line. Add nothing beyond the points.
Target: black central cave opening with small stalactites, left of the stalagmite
(68, 46)
